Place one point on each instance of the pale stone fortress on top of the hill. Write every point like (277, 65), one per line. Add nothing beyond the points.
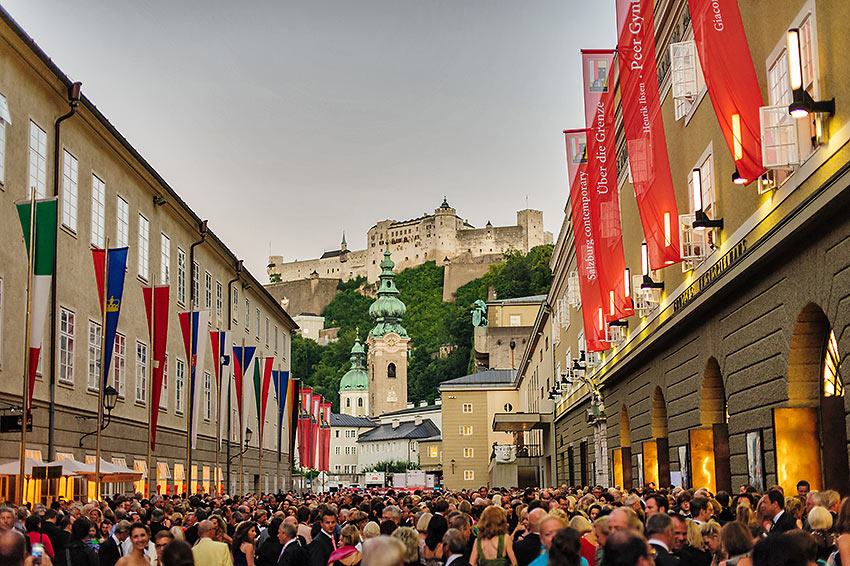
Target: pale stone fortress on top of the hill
(442, 237)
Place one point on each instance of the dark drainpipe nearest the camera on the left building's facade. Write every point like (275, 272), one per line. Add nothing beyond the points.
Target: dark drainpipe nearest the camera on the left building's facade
(73, 102)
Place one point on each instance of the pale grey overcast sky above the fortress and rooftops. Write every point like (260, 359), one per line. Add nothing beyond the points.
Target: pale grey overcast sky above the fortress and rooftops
(286, 122)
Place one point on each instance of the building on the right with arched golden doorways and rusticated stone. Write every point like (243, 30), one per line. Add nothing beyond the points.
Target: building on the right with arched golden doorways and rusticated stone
(731, 374)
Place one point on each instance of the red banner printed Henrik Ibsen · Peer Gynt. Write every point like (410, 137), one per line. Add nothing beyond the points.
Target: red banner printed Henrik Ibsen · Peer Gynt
(644, 131)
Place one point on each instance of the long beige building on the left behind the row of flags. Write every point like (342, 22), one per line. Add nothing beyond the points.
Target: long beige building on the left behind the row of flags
(108, 193)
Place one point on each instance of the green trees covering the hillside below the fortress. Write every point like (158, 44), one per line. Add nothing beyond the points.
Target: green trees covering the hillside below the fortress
(430, 322)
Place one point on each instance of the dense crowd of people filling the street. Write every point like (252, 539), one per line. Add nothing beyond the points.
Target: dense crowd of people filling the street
(488, 527)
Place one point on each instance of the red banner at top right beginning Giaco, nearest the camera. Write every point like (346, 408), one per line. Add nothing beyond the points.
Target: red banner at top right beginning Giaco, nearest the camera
(731, 80)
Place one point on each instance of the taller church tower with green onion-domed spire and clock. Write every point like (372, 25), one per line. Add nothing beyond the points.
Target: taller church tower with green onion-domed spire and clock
(388, 340)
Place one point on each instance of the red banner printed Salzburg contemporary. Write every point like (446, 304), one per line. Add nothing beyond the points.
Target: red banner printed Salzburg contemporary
(586, 258)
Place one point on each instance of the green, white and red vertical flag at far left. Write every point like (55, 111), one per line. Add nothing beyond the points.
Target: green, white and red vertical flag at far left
(44, 252)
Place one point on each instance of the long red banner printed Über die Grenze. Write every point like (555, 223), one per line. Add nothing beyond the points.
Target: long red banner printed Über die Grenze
(602, 179)
